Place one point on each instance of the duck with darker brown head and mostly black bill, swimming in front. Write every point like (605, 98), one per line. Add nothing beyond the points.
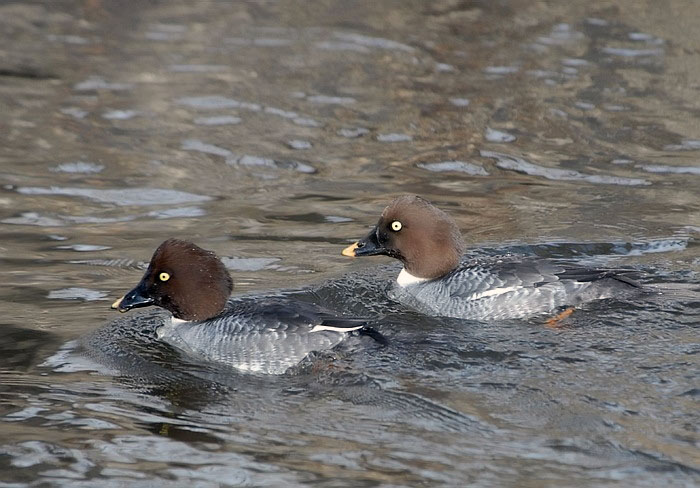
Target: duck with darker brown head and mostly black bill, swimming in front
(267, 335)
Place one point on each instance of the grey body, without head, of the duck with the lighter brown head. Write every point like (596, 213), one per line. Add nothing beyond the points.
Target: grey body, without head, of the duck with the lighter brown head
(506, 288)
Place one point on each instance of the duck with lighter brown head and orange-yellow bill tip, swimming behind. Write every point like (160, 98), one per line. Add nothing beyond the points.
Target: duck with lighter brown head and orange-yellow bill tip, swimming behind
(437, 280)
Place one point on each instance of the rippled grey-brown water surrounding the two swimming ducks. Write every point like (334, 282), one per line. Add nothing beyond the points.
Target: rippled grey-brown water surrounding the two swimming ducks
(274, 133)
